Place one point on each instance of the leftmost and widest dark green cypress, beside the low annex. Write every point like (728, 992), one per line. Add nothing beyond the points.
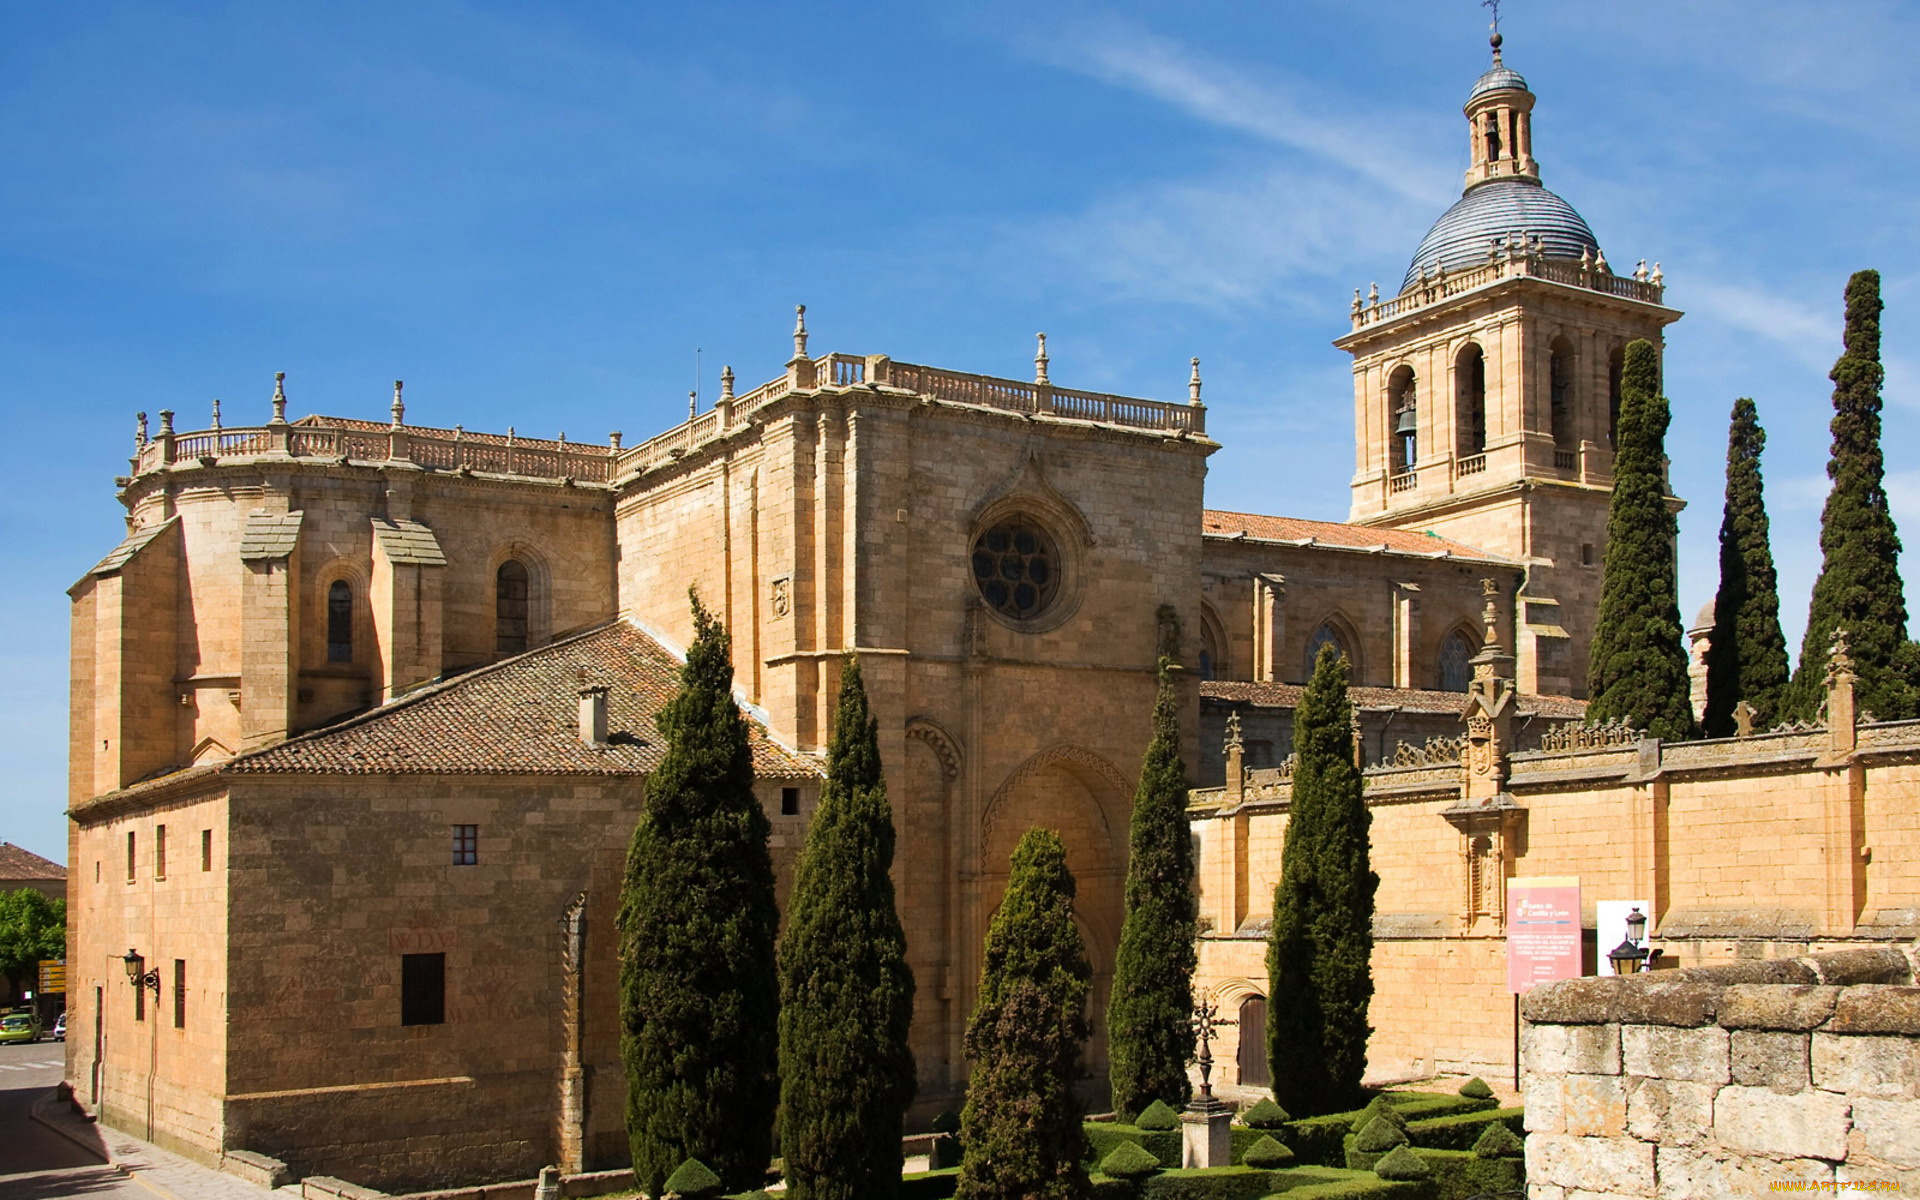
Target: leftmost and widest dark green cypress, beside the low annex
(698, 923)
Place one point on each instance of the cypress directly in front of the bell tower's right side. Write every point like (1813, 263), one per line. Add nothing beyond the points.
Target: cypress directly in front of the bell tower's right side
(1637, 665)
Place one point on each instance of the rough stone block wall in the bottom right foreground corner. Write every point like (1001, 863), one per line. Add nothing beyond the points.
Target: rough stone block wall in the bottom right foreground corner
(1725, 1082)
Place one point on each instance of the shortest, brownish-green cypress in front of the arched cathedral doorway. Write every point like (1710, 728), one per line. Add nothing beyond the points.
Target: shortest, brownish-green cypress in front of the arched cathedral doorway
(1020, 1130)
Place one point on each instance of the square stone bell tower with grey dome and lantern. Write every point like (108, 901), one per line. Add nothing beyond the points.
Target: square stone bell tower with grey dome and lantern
(1487, 391)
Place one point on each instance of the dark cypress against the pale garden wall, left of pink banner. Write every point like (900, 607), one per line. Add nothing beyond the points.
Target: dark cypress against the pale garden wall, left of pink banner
(1320, 976)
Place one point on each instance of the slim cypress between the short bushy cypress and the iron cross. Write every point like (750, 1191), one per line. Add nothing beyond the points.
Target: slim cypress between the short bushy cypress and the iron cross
(1149, 1017)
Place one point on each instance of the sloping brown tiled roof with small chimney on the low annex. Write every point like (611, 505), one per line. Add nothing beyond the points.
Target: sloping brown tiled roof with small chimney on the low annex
(519, 717)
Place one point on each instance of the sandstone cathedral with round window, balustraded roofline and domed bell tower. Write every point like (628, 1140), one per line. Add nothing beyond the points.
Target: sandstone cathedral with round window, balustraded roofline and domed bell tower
(362, 711)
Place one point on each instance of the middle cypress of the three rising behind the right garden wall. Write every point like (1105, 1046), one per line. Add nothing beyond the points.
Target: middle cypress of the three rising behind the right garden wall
(1746, 656)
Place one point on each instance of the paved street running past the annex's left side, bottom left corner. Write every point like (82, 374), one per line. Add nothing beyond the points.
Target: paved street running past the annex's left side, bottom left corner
(39, 1164)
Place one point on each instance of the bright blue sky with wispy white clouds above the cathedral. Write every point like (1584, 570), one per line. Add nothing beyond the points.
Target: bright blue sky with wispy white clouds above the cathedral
(537, 212)
